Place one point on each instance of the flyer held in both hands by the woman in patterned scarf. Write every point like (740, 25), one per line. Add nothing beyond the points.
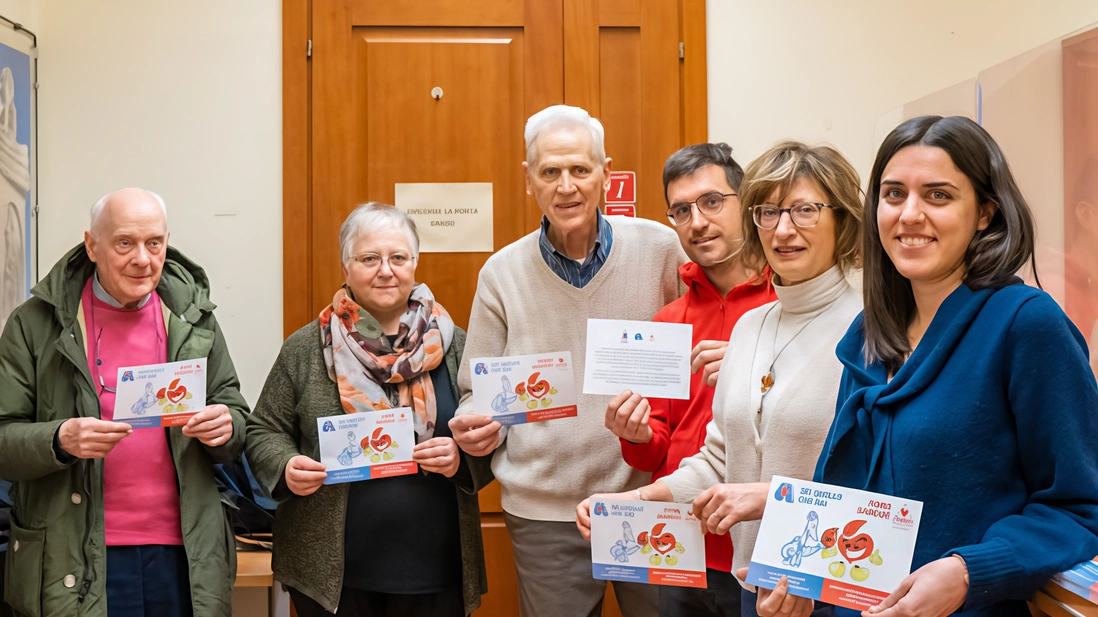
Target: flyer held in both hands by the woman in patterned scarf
(367, 446)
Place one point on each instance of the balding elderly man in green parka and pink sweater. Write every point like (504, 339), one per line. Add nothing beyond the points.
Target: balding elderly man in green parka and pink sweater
(107, 519)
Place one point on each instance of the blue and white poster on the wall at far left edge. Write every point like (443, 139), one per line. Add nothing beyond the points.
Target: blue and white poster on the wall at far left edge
(16, 245)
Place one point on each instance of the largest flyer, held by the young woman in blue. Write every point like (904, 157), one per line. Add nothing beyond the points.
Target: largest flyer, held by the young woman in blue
(841, 546)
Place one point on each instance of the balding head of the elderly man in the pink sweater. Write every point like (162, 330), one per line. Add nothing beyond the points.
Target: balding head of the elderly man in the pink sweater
(128, 241)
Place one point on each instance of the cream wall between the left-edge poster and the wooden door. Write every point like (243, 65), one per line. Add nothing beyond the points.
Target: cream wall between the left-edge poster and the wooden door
(184, 99)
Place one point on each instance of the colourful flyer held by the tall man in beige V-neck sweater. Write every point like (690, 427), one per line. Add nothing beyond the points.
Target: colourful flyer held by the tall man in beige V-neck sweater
(522, 389)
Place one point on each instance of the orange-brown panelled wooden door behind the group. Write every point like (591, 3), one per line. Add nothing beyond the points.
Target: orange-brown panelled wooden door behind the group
(360, 118)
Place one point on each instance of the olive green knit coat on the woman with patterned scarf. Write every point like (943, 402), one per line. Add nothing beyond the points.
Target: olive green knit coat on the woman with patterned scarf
(309, 532)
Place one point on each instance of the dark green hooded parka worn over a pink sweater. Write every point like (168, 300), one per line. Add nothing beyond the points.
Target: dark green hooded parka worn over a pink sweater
(57, 563)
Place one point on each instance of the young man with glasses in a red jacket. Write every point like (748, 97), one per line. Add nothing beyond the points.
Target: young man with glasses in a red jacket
(701, 185)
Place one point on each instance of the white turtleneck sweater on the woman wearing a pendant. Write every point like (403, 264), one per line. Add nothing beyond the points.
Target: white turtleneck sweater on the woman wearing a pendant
(744, 445)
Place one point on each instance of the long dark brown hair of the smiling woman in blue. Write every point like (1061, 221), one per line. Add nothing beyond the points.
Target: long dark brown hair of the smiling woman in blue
(994, 255)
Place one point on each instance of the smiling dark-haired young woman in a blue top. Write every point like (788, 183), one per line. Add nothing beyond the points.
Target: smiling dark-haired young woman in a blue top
(962, 388)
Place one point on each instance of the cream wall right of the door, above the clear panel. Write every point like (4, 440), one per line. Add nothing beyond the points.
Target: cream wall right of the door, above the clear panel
(825, 71)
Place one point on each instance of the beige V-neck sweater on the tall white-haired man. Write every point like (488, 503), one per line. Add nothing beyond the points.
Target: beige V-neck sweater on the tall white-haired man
(545, 469)
